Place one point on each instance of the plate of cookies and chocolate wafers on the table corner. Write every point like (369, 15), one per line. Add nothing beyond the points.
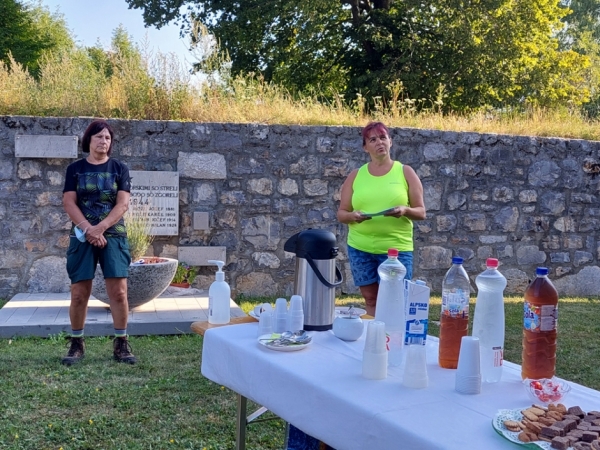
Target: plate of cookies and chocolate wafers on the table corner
(550, 427)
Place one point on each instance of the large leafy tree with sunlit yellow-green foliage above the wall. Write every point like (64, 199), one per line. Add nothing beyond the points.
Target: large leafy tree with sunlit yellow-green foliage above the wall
(481, 52)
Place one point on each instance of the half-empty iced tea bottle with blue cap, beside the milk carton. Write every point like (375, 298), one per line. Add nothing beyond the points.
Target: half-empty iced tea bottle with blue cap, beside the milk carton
(454, 320)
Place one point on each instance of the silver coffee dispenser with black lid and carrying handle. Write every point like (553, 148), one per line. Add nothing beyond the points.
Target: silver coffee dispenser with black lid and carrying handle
(317, 276)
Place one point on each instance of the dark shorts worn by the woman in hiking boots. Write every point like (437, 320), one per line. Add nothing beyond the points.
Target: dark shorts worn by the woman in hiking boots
(83, 257)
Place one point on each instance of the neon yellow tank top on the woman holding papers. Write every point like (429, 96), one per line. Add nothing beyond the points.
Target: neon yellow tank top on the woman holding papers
(372, 194)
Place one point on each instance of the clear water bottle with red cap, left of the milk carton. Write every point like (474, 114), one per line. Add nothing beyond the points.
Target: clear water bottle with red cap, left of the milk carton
(390, 305)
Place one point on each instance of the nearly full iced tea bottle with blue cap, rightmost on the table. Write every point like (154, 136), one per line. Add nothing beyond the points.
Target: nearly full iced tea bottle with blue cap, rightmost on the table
(540, 315)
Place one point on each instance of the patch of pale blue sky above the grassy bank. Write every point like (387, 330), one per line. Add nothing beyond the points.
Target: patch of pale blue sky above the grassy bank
(91, 20)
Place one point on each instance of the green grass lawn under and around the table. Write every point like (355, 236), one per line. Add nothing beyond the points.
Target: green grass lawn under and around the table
(164, 402)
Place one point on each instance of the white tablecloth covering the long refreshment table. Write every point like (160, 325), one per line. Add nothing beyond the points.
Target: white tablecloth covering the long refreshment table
(321, 391)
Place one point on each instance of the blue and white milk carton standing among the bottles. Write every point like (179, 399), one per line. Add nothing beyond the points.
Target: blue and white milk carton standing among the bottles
(416, 294)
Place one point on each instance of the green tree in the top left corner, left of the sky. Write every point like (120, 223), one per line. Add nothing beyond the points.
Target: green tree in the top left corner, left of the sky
(29, 31)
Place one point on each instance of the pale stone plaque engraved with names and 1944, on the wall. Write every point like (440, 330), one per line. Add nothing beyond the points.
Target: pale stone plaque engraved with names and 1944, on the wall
(156, 195)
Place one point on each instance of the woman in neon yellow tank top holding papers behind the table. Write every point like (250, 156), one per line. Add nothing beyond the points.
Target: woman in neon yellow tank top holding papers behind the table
(380, 185)
